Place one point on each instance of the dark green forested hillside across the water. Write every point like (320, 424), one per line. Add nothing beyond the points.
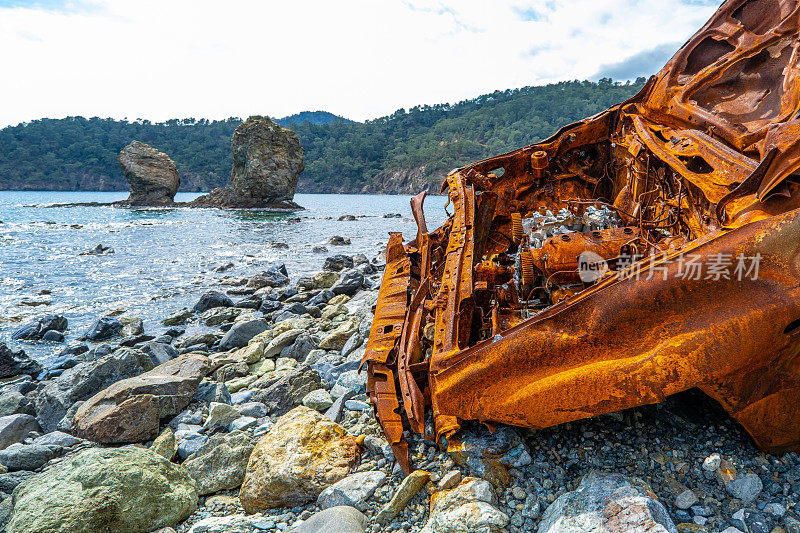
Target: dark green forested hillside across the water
(397, 153)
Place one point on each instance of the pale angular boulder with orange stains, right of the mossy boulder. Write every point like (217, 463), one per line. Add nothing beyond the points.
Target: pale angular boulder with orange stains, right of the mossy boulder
(302, 454)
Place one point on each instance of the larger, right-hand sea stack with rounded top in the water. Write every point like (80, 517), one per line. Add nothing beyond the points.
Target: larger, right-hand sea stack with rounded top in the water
(267, 162)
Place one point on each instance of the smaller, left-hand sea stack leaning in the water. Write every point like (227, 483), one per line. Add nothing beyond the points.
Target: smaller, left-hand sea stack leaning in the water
(151, 174)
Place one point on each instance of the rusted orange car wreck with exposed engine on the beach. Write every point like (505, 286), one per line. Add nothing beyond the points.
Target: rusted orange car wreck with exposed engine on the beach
(644, 251)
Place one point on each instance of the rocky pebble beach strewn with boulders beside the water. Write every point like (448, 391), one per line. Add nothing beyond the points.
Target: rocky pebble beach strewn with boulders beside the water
(261, 423)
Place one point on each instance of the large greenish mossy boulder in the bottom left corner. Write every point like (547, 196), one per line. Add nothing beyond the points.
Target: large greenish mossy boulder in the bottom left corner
(128, 489)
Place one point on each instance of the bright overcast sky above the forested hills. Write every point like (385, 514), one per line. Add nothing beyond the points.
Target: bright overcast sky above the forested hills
(160, 59)
